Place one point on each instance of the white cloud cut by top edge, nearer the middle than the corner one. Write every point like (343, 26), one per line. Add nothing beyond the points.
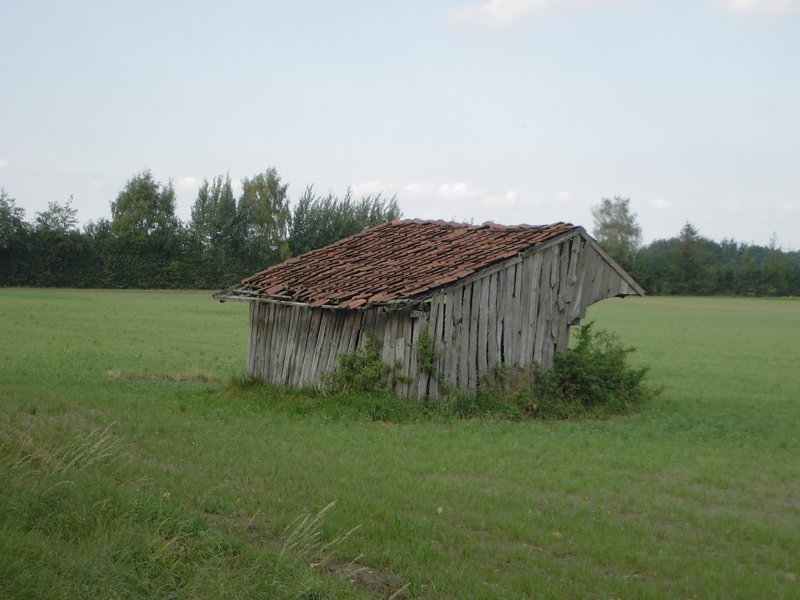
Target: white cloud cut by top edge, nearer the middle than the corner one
(506, 13)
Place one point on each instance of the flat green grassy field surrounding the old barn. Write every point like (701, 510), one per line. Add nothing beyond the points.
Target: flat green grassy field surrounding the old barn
(131, 467)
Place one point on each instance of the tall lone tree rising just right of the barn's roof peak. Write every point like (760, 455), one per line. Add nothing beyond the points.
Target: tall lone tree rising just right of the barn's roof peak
(616, 229)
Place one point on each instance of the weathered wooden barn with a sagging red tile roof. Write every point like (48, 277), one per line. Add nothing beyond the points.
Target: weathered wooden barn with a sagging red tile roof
(465, 298)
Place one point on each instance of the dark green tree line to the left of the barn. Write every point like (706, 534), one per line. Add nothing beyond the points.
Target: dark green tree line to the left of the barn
(145, 245)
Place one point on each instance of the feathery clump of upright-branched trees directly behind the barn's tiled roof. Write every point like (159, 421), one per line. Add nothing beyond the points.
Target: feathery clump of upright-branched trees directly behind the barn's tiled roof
(321, 220)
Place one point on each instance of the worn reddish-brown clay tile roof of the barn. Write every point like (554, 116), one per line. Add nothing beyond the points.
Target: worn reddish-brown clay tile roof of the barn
(395, 261)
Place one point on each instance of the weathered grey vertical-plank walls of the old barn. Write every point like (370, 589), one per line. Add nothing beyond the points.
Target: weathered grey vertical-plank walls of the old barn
(514, 313)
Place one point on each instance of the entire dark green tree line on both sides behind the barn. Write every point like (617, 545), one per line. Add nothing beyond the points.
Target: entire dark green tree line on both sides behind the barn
(144, 244)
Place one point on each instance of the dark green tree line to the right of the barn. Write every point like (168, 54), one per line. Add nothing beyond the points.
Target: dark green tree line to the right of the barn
(691, 264)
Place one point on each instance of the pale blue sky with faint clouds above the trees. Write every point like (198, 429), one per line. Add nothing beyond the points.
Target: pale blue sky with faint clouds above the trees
(512, 111)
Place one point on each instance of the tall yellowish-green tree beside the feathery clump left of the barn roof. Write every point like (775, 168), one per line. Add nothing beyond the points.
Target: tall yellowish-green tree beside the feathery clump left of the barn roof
(264, 213)
